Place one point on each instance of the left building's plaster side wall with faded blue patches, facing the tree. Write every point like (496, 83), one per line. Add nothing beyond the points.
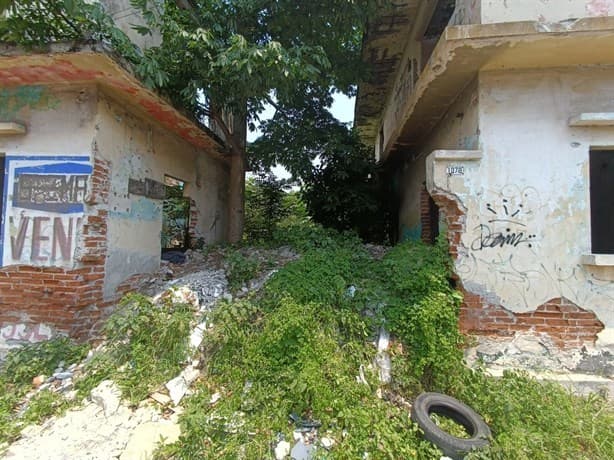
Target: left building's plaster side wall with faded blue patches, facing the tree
(139, 150)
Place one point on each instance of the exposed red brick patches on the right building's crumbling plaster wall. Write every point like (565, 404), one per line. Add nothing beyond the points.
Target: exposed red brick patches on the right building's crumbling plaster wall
(565, 322)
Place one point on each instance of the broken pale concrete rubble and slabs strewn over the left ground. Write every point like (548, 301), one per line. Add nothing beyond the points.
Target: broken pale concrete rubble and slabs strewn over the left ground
(104, 428)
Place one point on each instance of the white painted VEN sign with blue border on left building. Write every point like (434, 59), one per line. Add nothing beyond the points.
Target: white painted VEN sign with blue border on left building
(43, 208)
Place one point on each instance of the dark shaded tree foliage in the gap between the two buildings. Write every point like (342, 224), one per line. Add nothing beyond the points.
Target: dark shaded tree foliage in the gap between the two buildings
(341, 181)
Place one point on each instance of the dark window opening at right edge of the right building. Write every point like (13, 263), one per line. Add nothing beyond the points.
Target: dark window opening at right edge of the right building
(602, 201)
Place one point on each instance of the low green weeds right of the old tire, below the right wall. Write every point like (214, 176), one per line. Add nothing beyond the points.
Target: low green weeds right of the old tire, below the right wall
(537, 420)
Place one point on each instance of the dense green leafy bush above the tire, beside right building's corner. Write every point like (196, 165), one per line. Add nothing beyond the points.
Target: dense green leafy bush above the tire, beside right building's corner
(423, 309)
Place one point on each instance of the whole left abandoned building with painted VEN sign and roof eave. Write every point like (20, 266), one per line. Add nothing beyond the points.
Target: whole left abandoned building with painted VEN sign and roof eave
(86, 156)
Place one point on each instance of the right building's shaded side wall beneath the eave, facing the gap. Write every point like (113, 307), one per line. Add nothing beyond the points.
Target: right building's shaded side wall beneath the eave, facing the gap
(458, 130)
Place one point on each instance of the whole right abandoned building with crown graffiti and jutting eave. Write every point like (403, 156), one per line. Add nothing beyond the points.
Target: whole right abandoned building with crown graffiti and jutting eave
(497, 120)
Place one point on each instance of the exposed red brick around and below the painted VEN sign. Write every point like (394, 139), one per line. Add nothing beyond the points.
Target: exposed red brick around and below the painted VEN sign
(70, 300)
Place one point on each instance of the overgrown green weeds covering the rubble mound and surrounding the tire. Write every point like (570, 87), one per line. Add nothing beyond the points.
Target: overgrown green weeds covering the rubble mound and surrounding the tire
(298, 349)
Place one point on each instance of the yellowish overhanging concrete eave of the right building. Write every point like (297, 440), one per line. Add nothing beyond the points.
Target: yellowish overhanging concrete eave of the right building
(464, 51)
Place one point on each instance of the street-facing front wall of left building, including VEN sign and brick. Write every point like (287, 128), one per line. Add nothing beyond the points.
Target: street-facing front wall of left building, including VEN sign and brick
(53, 233)
